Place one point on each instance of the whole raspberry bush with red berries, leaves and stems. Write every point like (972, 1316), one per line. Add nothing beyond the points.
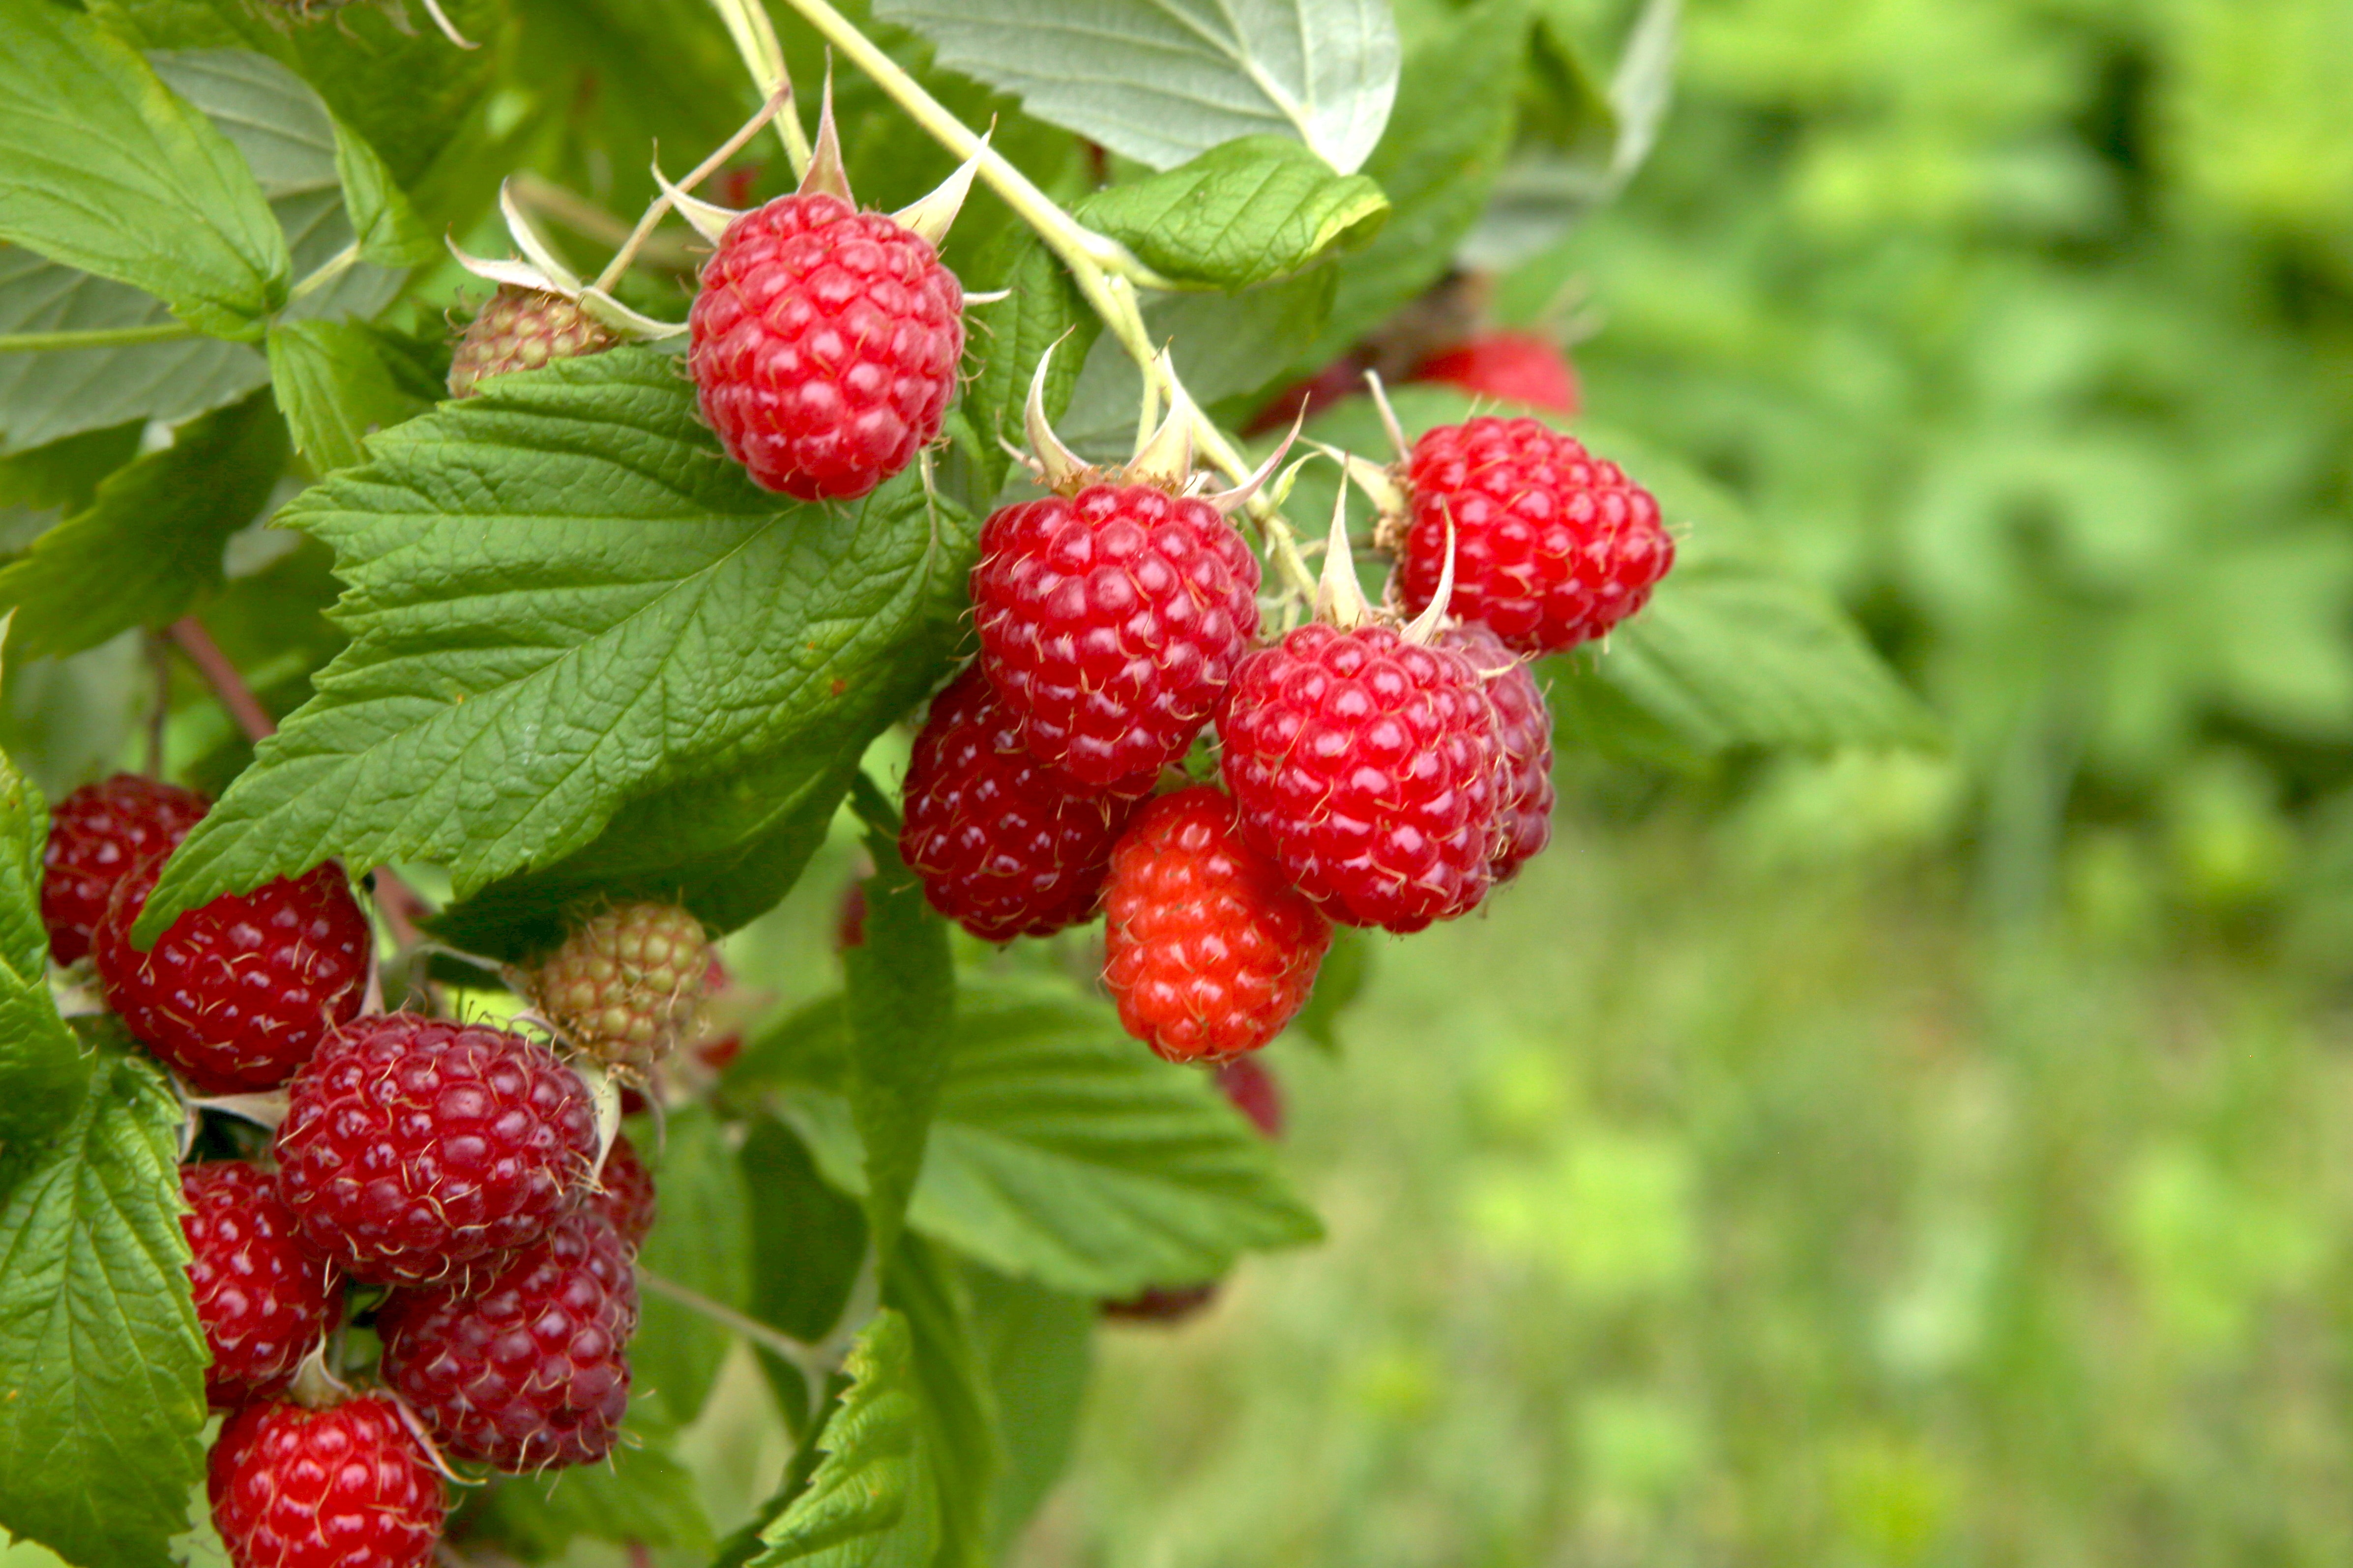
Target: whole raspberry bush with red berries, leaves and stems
(540, 631)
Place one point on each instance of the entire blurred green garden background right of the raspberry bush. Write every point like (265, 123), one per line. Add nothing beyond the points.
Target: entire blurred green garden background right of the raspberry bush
(1881, 1158)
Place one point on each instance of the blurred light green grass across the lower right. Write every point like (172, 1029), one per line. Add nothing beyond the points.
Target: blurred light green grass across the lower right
(1693, 1209)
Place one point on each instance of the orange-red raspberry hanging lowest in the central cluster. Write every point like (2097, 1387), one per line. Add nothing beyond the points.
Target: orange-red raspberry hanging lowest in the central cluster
(1206, 946)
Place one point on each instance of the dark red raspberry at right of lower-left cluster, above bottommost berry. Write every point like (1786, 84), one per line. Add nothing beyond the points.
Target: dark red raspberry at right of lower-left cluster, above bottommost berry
(531, 1369)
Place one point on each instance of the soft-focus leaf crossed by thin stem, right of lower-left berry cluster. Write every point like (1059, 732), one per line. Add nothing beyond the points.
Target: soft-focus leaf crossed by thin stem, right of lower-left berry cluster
(705, 1247)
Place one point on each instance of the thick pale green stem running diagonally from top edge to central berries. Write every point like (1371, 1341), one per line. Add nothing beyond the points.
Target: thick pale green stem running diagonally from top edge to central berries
(1105, 269)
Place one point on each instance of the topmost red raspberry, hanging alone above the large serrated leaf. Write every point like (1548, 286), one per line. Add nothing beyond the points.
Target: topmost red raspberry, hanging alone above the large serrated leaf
(825, 347)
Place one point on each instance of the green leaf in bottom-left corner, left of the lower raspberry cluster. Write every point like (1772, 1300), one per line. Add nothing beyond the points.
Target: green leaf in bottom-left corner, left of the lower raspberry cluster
(102, 1365)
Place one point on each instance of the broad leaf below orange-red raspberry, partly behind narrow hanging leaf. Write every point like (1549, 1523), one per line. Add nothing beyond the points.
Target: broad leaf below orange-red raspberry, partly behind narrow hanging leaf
(1060, 1151)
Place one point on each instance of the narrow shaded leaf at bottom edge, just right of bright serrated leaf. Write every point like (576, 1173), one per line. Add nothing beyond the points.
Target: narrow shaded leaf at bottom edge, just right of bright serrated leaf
(959, 1402)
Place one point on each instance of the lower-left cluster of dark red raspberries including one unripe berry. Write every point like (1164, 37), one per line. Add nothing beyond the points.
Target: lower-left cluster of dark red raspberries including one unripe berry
(453, 1162)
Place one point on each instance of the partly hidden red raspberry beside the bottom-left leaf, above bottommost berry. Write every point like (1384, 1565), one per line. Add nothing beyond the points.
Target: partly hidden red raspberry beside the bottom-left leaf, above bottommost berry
(262, 1301)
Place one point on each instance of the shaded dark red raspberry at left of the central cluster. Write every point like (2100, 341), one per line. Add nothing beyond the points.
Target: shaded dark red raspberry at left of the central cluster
(1004, 847)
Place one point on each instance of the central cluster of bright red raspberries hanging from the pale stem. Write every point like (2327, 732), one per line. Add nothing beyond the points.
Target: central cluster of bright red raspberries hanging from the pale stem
(1373, 772)
